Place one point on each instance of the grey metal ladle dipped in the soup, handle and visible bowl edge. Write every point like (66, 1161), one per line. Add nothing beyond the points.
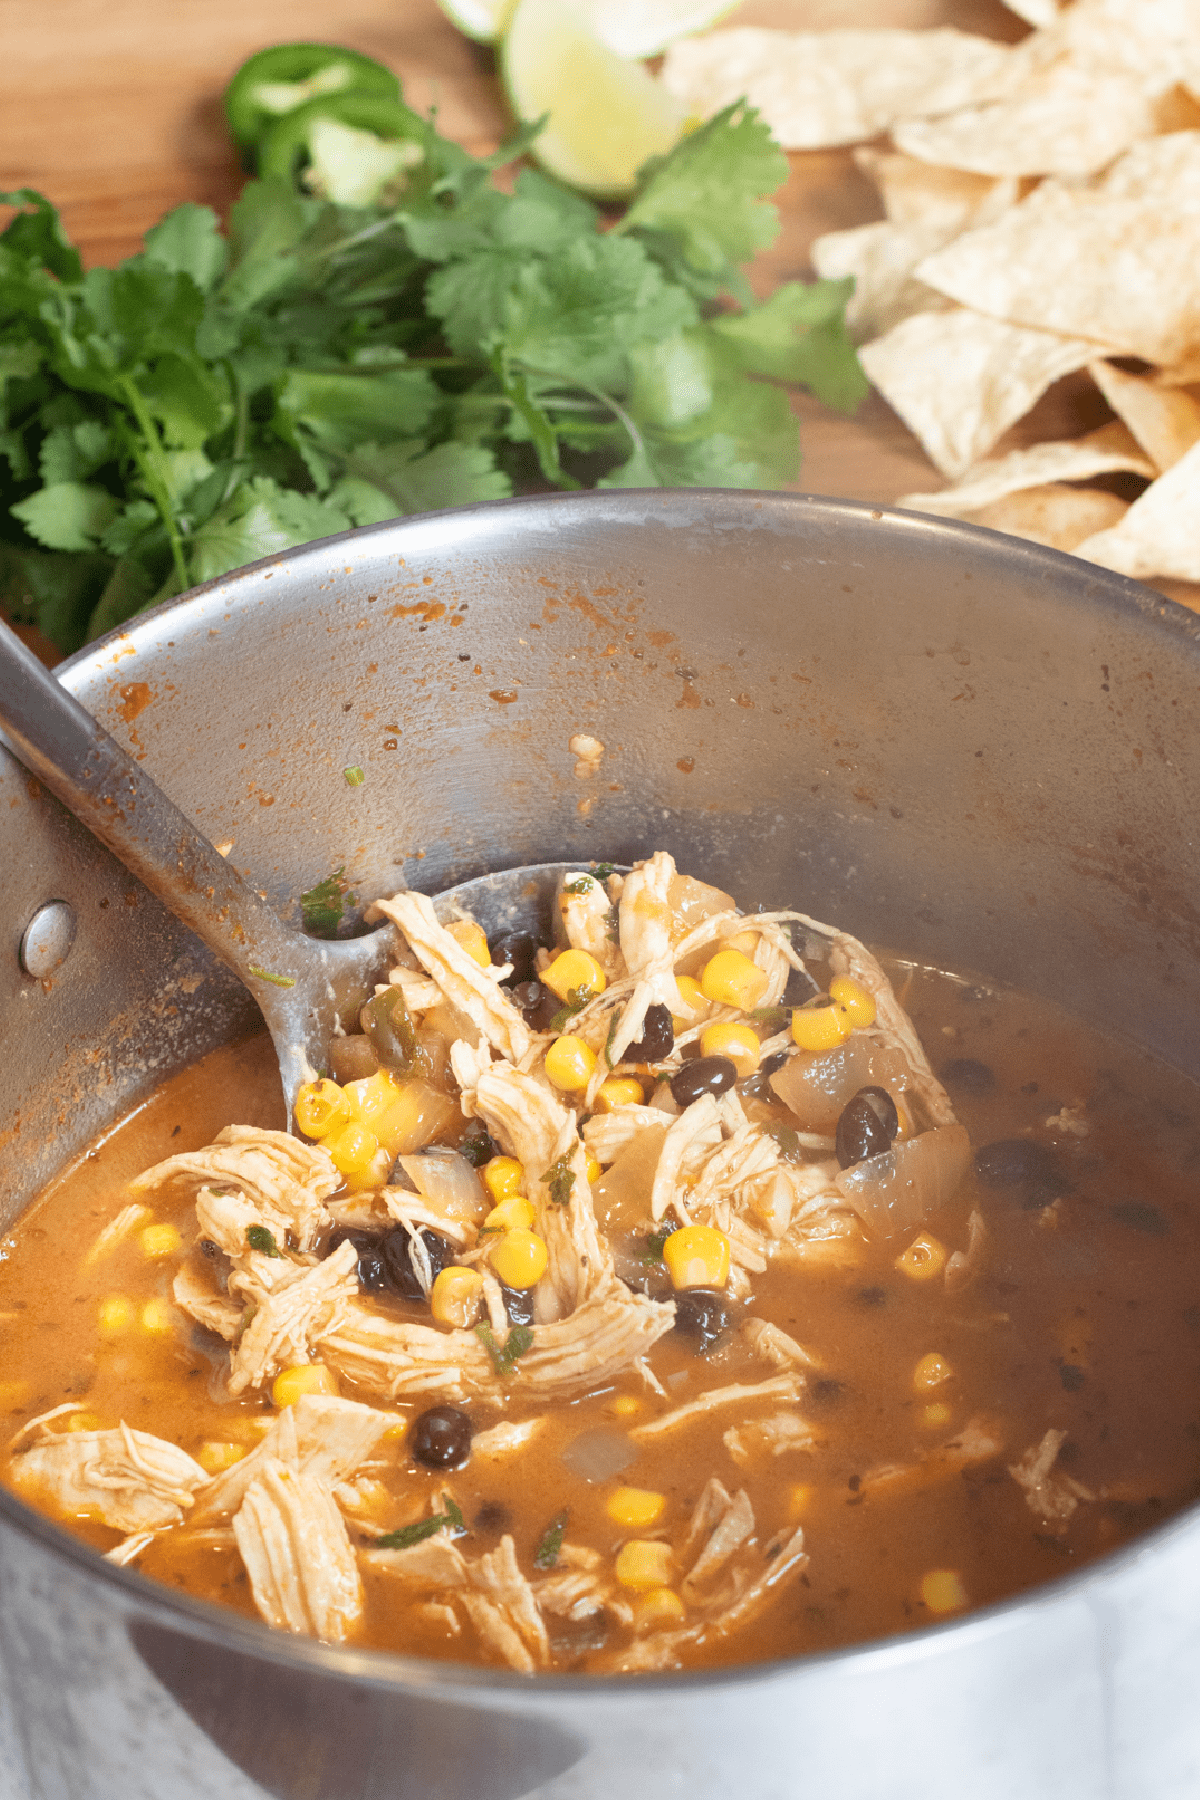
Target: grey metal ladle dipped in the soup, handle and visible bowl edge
(307, 989)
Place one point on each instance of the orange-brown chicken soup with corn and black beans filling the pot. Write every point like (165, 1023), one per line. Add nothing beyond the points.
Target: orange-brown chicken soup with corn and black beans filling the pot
(650, 1300)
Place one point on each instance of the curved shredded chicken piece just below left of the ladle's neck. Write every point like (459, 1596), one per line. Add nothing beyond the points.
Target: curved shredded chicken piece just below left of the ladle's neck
(283, 1178)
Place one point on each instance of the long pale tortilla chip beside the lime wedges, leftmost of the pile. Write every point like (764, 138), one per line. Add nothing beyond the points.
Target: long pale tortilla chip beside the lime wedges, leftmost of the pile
(836, 87)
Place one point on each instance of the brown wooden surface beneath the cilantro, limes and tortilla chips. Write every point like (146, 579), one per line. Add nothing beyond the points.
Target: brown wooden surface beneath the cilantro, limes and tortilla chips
(112, 109)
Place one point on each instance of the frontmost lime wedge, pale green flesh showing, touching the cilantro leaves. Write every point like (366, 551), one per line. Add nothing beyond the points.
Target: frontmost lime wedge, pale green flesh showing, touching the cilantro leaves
(605, 116)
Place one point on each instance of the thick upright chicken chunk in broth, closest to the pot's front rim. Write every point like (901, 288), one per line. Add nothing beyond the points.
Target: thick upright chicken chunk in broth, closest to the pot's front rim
(298, 1554)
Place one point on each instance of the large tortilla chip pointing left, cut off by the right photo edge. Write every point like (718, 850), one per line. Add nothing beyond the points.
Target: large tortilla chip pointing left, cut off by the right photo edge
(1093, 262)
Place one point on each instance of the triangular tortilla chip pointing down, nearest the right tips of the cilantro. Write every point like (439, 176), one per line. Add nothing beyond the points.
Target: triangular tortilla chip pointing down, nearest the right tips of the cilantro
(960, 379)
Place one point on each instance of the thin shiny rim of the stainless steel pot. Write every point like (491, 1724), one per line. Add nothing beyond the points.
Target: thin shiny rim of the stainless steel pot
(1079, 584)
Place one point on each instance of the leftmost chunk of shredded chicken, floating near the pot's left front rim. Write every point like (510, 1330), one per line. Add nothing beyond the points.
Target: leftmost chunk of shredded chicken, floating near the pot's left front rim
(125, 1479)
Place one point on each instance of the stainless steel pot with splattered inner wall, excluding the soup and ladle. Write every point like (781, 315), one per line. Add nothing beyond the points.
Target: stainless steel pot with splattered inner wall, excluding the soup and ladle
(953, 742)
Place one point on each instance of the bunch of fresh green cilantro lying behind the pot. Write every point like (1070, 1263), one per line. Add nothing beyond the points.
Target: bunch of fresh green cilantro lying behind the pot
(220, 399)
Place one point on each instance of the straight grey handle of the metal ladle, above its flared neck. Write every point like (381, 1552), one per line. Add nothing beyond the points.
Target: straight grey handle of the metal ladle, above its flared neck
(73, 755)
